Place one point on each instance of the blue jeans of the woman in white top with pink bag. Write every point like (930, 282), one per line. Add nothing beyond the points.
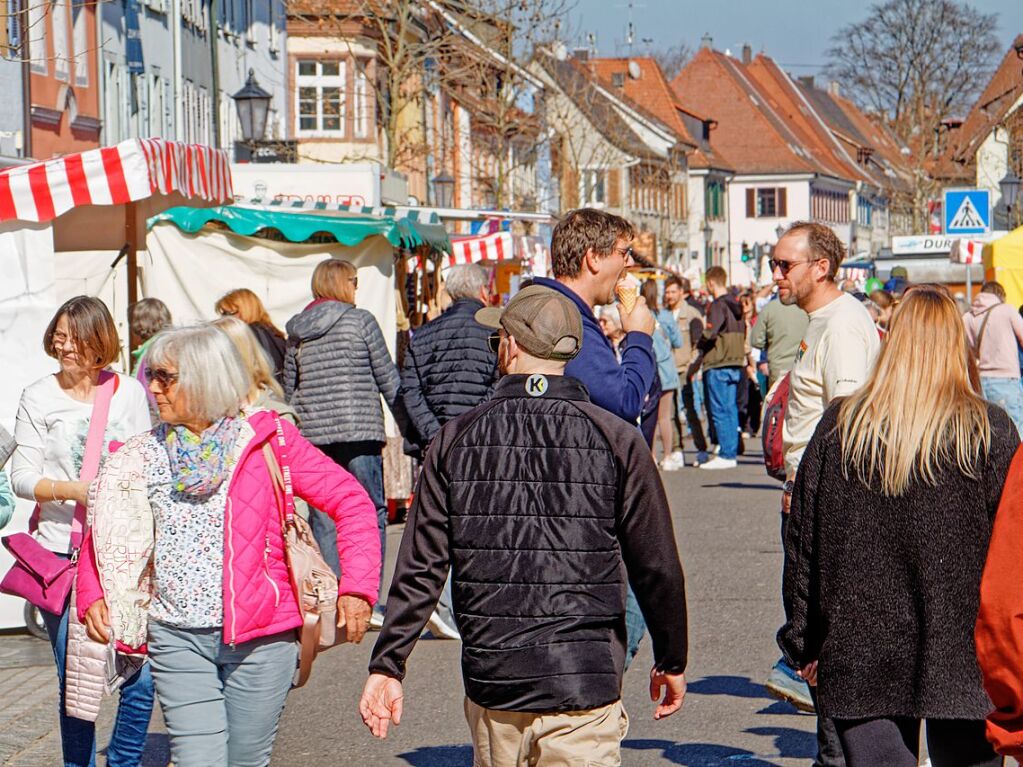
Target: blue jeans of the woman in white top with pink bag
(78, 738)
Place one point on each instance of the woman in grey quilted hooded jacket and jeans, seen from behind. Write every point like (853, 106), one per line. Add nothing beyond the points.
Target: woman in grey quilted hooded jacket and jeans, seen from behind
(336, 371)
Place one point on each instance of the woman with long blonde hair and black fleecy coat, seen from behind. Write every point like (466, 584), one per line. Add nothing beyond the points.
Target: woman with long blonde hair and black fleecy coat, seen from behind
(892, 518)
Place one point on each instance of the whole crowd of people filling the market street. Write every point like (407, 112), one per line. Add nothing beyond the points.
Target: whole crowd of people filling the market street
(541, 532)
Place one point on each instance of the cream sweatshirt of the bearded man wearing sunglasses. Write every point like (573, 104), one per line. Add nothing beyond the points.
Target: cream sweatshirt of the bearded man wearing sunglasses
(837, 354)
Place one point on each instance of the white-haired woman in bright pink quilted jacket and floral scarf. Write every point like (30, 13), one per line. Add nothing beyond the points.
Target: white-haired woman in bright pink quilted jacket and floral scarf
(188, 554)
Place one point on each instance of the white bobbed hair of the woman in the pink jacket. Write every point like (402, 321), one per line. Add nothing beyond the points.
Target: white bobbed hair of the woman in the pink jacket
(212, 377)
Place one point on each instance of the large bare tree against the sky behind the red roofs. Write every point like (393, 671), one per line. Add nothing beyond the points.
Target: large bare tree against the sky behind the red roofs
(914, 64)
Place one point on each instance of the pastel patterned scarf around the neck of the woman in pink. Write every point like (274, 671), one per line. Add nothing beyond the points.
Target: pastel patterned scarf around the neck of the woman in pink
(200, 464)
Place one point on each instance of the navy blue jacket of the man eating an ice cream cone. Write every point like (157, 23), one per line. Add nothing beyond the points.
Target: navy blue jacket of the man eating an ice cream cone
(620, 389)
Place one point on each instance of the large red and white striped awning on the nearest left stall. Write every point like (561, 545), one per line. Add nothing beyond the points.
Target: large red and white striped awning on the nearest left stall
(115, 175)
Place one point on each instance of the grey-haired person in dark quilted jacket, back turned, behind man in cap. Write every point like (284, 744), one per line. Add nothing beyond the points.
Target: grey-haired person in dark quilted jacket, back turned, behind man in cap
(450, 368)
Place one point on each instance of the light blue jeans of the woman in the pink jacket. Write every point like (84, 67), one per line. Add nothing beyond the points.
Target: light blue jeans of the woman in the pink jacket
(221, 704)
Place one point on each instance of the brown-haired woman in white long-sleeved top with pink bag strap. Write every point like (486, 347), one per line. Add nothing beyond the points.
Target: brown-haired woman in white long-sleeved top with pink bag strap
(52, 430)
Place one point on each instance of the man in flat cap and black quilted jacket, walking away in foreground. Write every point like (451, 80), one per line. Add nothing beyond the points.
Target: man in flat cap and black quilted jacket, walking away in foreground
(544, 506)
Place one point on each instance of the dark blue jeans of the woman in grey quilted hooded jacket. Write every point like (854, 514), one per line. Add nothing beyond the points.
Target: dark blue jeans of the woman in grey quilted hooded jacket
(366, 463)
